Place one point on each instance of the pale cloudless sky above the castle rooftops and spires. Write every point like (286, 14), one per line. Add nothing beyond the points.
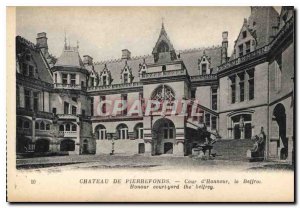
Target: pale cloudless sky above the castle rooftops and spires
(102, 32)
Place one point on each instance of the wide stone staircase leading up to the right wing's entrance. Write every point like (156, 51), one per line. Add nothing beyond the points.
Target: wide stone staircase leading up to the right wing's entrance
(232, 149)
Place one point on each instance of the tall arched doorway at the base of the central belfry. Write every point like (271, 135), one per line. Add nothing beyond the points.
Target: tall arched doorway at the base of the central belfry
(163, 135)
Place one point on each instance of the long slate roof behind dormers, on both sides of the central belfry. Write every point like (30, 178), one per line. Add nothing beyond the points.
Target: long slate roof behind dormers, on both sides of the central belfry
(189, 57)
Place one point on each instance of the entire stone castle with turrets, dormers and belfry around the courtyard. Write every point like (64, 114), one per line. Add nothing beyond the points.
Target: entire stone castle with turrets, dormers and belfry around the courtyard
(239, 94)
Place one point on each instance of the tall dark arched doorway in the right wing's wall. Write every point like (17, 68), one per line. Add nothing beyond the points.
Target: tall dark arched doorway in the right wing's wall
(280, 118)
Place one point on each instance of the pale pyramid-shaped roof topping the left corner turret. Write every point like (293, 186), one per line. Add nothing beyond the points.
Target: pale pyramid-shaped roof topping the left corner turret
(69, 58)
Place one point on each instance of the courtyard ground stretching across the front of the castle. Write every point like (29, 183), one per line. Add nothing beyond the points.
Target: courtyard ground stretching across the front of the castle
(60, 163)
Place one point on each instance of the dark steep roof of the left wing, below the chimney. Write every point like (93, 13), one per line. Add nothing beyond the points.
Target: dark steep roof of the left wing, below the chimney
(25, 46)
